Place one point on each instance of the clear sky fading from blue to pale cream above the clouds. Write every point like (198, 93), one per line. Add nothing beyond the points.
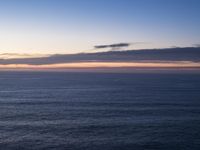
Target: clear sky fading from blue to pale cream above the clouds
(71, 26)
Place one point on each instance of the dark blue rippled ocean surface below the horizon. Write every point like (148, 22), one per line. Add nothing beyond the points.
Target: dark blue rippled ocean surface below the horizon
(99, 111)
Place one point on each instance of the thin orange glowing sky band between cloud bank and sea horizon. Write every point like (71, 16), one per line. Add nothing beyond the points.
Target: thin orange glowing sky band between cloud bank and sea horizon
(82, 65)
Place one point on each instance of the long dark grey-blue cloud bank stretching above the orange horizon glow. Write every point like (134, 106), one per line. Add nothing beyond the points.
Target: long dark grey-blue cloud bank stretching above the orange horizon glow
(148, 55)
